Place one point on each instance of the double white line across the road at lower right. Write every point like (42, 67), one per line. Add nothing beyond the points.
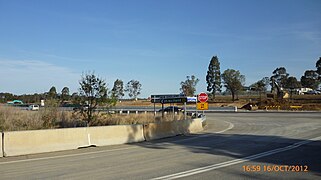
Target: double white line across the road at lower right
(236, 161)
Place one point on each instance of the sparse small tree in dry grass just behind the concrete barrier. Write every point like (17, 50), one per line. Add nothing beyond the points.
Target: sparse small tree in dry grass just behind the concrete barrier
(93, 91)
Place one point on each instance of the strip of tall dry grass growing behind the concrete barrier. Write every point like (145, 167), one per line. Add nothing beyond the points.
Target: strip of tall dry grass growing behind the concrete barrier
(16, 119)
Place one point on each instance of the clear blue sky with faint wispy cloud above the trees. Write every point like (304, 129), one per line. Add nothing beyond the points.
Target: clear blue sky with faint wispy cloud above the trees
(45, 43)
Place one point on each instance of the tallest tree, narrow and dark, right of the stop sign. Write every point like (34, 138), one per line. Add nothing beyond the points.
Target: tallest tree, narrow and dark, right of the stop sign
(213, 77)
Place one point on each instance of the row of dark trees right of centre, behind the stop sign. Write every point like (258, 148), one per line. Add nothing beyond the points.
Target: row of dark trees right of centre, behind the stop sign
(234, 81)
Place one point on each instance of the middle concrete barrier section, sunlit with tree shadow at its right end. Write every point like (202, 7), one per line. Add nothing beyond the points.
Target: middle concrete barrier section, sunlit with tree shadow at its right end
(111, 135)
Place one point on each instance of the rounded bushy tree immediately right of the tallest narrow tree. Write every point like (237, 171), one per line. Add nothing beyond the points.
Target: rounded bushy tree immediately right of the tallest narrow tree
(233, 81)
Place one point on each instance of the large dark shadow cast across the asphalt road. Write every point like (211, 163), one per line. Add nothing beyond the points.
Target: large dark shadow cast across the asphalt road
(240, 146)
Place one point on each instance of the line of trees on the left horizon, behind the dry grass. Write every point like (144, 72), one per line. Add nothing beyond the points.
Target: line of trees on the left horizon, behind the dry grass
(89, 83)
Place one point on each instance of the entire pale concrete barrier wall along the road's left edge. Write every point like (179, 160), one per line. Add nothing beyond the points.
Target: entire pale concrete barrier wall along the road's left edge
(40, 141)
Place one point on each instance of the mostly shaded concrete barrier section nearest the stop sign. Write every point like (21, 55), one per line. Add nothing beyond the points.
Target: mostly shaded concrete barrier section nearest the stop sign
(169, 129)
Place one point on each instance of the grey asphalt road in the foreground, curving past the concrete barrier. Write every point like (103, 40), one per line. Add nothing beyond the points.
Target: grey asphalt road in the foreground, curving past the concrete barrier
(234, 146)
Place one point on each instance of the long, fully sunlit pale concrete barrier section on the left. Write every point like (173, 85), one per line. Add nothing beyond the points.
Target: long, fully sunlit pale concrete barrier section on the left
(39, 141)
